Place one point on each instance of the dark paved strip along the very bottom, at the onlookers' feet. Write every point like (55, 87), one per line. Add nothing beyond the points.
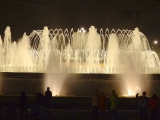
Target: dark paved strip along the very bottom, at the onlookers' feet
(63, 114)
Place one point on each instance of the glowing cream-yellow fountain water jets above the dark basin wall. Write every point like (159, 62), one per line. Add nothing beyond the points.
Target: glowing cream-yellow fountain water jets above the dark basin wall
(79, 52)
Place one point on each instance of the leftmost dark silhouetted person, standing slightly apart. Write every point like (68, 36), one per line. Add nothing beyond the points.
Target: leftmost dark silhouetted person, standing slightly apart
(23, 103)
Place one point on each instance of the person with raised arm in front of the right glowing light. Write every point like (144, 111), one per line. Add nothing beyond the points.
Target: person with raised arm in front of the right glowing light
(143, 104)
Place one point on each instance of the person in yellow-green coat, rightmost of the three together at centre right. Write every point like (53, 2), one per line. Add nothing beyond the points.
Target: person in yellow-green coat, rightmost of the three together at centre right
(113, 104)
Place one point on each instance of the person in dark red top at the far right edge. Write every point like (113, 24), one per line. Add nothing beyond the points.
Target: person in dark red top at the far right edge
(154, 106)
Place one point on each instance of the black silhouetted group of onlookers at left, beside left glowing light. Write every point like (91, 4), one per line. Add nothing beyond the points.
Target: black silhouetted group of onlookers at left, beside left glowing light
(38, 107)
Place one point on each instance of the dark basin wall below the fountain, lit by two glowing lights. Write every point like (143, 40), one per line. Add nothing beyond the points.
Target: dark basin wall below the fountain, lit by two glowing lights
(74, 84)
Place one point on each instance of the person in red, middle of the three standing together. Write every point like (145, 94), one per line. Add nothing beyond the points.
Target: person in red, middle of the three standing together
(102, 104)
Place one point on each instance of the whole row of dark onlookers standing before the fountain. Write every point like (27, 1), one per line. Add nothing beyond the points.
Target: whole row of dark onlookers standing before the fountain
(99, 103)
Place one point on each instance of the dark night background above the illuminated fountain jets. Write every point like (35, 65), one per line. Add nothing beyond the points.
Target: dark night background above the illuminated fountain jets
(28, 15)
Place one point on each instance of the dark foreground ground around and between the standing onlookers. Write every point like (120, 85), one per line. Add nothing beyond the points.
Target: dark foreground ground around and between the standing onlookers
(71, 108)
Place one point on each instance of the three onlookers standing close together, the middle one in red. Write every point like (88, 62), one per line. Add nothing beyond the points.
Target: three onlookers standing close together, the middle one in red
(99, 102)
